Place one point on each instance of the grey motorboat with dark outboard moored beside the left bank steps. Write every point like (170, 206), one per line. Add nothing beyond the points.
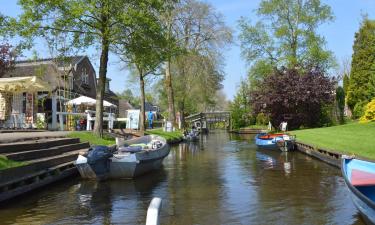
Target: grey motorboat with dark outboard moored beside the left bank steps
(128, 159)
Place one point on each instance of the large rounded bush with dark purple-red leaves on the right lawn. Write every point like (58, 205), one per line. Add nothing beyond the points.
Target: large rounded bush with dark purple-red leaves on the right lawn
(296, 98)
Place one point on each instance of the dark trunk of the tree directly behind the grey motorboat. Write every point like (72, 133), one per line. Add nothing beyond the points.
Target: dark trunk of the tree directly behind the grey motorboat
(98, 128)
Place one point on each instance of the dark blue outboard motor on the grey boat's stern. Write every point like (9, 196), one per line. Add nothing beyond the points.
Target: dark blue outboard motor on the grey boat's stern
(98, 159)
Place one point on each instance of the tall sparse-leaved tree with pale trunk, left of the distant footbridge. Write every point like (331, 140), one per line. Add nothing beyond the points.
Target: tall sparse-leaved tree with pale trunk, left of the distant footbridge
(195, 26)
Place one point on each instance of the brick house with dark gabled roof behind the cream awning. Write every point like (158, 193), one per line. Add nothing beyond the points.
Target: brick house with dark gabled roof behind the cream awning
(68, 78)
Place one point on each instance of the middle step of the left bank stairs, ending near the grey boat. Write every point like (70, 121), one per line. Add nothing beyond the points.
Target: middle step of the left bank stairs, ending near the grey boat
(42, 153)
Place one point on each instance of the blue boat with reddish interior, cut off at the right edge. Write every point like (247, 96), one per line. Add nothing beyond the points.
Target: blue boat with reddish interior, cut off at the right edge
(359, 176)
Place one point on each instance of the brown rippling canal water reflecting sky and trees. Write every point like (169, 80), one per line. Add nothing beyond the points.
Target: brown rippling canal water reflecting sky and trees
(223, 179)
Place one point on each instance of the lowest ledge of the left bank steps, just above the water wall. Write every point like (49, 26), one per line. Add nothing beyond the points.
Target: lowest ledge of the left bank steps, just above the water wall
(36, 165)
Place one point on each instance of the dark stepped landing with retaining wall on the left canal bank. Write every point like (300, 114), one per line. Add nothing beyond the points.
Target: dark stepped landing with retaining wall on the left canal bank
(49, 157)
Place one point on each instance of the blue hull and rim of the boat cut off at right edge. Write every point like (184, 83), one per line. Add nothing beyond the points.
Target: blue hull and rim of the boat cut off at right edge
(364, 203)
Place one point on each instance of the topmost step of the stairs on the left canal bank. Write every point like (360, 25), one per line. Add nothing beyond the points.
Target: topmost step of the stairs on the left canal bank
(35, 144)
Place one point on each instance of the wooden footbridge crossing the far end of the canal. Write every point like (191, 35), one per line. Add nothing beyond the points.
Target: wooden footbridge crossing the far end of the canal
(210, 120)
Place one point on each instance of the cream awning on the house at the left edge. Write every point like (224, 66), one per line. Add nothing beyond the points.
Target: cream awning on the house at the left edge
(23, 84)
